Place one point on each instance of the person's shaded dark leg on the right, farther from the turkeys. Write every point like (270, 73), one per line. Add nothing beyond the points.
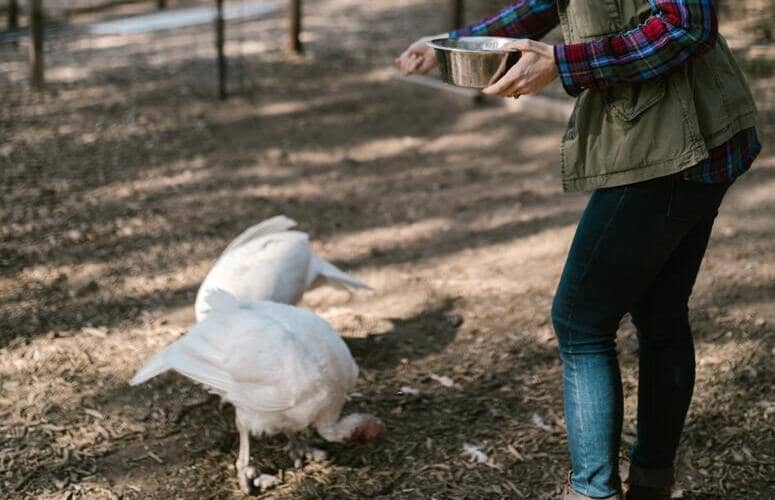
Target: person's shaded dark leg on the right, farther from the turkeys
(666, 349)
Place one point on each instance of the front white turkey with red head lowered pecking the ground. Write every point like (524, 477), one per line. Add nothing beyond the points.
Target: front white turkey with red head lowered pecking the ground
(283, 368)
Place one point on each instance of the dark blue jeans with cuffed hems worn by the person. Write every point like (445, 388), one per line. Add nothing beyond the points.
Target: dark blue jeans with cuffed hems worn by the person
(637, 249)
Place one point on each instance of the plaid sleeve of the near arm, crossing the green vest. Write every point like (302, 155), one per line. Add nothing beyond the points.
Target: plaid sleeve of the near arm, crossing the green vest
(676, 31)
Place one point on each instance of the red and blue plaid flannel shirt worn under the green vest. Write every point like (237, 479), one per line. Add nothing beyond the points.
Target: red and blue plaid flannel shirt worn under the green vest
(676, 31)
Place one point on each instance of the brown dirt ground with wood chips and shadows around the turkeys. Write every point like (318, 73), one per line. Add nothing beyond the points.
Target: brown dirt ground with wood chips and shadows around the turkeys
(123, 182)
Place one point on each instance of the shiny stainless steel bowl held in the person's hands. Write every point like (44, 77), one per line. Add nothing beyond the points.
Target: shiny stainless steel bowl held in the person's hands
(476, 61)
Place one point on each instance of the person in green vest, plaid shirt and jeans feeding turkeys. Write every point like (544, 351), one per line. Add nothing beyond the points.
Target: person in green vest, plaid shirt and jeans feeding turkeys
(664, 123)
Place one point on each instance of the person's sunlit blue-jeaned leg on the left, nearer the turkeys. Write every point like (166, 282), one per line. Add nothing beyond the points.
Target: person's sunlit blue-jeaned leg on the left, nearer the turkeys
(623, 240)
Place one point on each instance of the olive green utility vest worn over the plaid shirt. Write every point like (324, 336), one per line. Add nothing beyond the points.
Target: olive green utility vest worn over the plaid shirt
(634, 132)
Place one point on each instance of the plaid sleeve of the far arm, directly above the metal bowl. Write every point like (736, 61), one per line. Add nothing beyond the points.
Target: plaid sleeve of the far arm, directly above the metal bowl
(523, 19)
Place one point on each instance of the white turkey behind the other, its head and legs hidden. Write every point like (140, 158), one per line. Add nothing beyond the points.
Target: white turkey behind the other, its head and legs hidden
(269, 261)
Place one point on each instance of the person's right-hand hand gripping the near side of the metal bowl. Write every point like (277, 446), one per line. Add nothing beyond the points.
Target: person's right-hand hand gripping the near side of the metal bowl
(535, 70)
